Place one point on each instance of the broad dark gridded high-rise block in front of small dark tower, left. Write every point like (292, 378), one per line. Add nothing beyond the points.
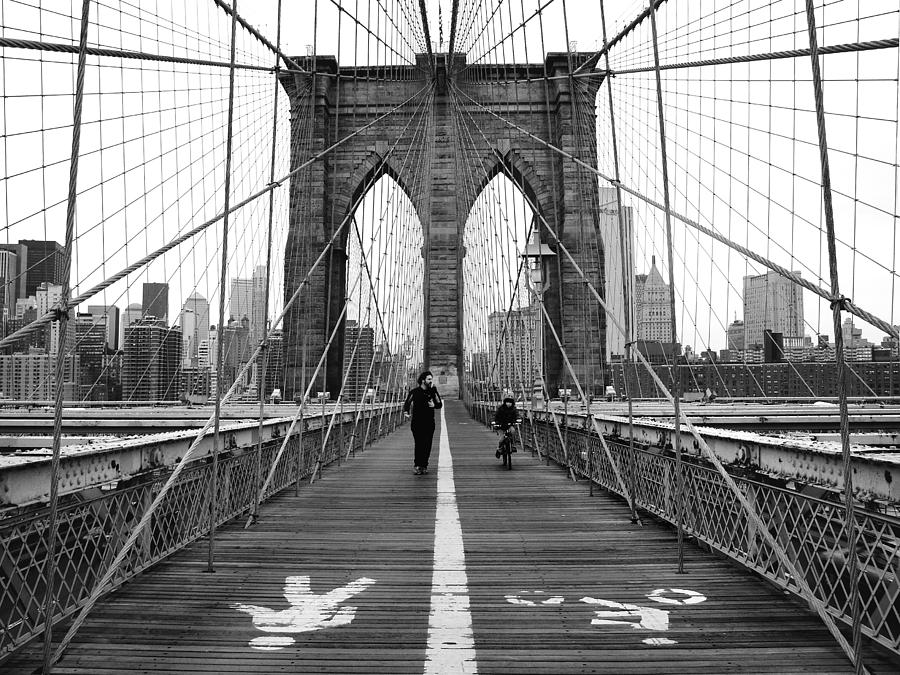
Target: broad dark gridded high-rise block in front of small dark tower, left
(152, 363)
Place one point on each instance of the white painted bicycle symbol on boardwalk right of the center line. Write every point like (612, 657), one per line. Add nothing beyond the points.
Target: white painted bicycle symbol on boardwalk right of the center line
(637, 617)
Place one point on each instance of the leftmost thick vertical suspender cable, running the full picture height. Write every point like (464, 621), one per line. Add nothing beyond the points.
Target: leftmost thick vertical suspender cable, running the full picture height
(52, 525)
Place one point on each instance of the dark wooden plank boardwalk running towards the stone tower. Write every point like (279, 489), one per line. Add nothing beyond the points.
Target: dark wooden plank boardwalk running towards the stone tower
(542, 561)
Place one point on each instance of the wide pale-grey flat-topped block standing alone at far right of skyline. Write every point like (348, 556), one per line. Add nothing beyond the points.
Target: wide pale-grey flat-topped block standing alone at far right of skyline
(773, 303)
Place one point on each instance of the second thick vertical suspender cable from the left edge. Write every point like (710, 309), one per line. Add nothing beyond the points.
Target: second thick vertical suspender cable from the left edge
(223, 277)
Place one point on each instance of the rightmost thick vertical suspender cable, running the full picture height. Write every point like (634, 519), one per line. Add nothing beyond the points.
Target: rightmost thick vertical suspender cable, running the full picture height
(836, 307)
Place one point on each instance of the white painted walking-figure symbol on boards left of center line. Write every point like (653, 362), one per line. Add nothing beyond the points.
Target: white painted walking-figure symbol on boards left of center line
(308, 611)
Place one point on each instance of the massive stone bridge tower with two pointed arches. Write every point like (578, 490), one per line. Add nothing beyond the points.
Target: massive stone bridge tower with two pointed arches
(339, 101)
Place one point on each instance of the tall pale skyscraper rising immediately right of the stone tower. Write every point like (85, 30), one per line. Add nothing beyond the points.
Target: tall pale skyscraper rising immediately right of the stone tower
(619, 269)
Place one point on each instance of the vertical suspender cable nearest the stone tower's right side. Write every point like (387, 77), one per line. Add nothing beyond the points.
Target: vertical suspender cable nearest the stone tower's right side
(627, 270)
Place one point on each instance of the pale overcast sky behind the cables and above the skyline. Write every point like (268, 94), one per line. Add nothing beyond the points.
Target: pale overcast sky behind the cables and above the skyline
(741, 138)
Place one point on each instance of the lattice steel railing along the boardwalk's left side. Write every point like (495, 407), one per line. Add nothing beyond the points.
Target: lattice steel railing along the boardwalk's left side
(92, 530)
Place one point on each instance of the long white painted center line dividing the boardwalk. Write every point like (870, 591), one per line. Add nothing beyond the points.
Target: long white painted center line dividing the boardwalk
(451, 644)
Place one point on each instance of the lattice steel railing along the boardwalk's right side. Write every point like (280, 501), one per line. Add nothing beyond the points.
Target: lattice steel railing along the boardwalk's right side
(809, 529)
